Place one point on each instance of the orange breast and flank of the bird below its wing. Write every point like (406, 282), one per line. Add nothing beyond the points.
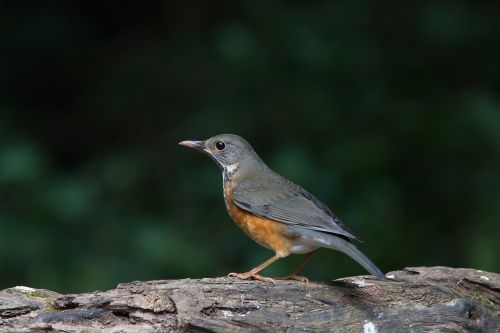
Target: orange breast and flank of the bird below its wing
(268, 233)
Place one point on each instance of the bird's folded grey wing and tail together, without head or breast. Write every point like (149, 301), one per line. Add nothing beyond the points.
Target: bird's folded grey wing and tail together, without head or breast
(275, 197)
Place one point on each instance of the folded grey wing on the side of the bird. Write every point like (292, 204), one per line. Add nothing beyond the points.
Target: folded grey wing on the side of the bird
(279, 199)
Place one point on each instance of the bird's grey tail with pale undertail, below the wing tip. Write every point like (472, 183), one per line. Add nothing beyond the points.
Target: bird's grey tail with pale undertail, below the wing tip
(340, 244)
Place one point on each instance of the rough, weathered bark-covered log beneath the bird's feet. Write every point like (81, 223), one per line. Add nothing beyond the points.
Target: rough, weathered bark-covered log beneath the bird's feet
(422, 299)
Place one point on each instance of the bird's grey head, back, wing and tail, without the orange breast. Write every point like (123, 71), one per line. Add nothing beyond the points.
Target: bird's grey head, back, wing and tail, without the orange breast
(264, 193)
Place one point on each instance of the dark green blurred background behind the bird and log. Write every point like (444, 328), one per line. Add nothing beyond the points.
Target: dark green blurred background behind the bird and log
(387, 111)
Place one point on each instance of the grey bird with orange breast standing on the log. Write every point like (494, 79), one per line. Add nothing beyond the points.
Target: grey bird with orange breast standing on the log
(274, 211)
